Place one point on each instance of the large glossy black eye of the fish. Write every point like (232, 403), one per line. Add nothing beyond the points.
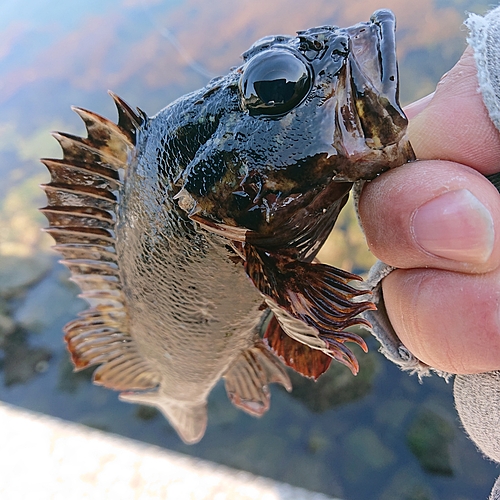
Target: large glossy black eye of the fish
(274, 82)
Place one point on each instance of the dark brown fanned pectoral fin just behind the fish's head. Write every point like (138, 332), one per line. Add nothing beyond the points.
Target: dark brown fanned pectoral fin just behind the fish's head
(317, 295)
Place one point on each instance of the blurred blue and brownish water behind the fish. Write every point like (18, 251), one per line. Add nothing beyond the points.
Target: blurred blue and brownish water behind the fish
(381, 435)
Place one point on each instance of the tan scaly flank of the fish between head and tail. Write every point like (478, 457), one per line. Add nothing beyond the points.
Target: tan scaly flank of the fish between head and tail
(191, 308)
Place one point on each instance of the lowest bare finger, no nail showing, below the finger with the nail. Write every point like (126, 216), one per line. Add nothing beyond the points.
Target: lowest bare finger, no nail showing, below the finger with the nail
(448, 320)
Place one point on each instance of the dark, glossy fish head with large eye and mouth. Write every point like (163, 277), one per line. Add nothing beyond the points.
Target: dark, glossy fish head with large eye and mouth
(309, 115)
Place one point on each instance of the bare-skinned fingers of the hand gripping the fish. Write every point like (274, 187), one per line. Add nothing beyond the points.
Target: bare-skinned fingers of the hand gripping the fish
(438, 221)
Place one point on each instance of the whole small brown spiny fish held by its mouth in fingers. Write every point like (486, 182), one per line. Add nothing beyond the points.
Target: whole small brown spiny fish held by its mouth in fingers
(193, 234)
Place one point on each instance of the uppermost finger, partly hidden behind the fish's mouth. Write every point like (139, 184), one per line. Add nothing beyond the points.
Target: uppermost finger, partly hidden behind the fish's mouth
(455, 125)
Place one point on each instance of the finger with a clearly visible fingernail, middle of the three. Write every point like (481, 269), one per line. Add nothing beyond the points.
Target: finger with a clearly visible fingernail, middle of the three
(433, 214)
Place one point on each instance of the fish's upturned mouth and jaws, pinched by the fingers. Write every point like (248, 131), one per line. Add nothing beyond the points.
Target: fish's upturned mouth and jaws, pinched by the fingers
(378, 141)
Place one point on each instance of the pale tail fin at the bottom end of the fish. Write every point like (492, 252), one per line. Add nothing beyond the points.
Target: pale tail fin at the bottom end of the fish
(187, 418)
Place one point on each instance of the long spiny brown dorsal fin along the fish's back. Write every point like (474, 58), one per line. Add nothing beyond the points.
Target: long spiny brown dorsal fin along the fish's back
(81, 210)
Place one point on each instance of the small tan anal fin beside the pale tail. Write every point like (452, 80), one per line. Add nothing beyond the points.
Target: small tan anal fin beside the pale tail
(248, 377)
